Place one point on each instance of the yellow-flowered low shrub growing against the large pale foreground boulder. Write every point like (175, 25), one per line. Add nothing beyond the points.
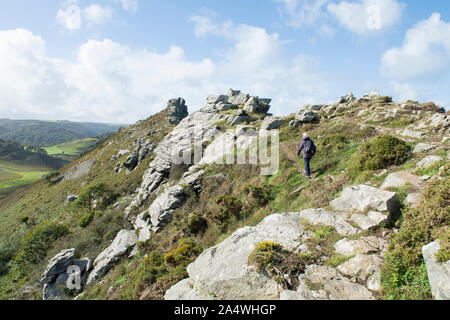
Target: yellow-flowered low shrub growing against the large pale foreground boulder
(278, 262)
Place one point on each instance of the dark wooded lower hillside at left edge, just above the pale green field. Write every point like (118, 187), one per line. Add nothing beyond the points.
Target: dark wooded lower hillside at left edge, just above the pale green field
(13, 152)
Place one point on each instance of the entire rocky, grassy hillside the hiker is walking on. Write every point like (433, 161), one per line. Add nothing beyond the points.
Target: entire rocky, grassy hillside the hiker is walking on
(370, 224)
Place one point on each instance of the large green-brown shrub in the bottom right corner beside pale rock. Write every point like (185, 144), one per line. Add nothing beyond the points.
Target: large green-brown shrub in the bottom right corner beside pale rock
(404, 274)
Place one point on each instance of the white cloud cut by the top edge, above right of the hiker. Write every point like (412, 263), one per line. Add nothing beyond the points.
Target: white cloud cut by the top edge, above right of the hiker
(365, 16)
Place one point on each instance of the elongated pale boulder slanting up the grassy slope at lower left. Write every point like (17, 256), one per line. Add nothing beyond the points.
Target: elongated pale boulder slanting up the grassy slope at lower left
(124, 241)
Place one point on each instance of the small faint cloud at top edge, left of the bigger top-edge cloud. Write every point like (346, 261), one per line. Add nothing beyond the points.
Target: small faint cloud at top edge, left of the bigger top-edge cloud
(302, 12)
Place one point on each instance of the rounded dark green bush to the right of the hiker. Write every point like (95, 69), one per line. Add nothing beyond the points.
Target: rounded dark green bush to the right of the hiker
(380, 153)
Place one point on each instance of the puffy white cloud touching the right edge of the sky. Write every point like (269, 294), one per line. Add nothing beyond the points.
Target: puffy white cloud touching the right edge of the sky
(425, 51)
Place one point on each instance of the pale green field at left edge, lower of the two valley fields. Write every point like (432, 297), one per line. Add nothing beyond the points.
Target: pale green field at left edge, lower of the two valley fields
(14, 175)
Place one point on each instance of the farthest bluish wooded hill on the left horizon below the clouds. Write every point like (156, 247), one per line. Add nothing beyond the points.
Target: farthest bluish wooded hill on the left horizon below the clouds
(48, 133)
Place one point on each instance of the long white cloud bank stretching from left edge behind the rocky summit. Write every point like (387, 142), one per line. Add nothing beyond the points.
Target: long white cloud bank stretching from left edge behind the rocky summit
(111, 82)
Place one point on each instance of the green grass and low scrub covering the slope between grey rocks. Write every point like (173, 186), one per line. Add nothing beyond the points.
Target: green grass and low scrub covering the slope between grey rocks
(131, 277)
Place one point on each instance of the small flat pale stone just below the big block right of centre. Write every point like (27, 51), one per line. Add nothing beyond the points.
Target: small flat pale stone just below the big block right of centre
(370, 244)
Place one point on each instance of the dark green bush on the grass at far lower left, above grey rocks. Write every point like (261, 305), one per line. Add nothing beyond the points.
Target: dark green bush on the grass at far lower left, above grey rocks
(36, 244)
